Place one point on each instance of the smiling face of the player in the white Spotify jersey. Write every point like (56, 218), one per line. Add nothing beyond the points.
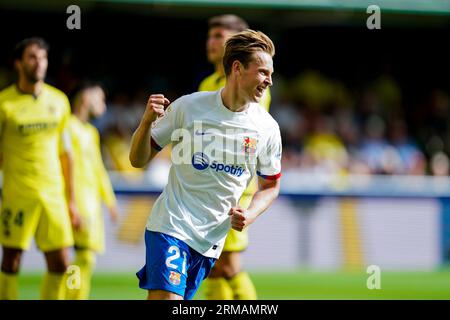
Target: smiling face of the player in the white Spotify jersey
(257, 77)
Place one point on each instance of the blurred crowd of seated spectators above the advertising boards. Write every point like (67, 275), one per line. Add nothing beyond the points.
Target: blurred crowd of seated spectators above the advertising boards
(327, 126)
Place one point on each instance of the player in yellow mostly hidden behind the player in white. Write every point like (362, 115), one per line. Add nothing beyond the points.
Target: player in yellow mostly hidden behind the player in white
(227, 280)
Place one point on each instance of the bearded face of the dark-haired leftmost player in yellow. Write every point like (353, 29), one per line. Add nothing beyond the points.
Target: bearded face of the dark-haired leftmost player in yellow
(34, 63)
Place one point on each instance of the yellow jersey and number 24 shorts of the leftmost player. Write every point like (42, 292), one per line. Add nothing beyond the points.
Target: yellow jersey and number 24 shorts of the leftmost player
(31, 140)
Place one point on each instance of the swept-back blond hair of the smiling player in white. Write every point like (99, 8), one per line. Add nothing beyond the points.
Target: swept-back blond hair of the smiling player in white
(242, 45)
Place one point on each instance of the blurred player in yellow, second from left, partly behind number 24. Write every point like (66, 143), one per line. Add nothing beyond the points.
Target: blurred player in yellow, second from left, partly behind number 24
(91, 183)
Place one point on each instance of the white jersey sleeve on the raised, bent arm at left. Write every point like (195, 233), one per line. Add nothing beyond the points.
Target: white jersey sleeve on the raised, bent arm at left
(163, 127)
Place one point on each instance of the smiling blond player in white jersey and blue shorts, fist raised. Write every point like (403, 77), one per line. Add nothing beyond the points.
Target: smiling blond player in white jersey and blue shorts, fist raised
(220, 140)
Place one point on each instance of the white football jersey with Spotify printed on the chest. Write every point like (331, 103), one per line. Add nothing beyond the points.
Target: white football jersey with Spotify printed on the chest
(215, 153)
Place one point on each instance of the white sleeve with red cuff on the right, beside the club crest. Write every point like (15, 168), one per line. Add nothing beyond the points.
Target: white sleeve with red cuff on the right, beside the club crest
(269, 159)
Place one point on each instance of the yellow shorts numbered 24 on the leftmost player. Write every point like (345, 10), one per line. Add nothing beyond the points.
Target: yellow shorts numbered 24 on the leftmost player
(47, 220)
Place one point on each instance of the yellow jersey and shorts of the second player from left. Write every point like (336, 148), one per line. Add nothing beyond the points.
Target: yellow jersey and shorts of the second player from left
(91, 184)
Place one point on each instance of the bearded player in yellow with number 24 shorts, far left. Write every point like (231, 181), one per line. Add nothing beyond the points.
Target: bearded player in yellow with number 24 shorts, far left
(37, 195)
